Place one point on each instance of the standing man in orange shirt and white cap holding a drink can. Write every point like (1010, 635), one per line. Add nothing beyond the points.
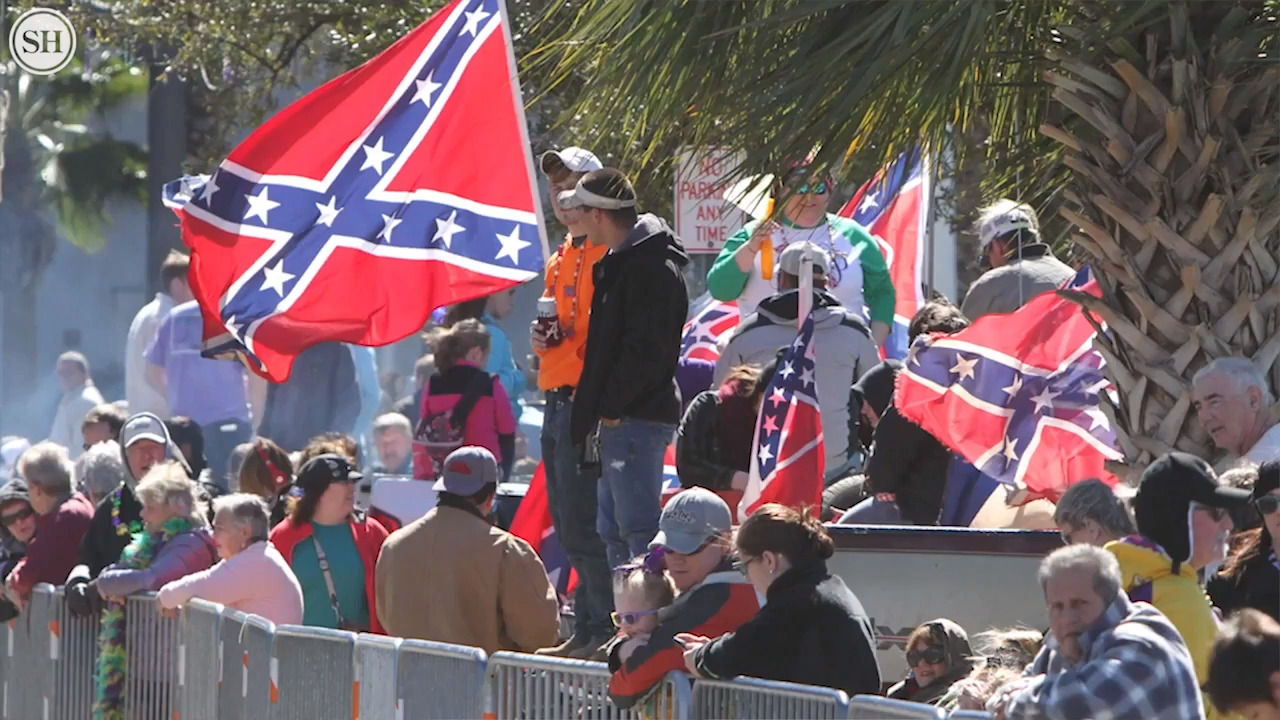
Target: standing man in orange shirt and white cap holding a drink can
(570, 490)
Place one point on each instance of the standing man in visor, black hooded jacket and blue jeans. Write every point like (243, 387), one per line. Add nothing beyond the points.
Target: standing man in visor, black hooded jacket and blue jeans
(627, 403)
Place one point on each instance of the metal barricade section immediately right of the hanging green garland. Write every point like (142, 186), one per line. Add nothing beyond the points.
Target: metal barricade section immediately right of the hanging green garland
(152, 677)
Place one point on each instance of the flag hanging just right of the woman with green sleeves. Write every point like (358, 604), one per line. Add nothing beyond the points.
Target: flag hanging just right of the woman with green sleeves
(894, 207)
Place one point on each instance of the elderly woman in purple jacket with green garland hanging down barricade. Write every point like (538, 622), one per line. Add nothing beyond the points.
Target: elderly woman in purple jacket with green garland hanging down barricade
(175, 543)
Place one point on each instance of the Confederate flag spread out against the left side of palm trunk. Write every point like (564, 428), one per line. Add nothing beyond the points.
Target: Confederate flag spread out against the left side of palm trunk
(1018, 395)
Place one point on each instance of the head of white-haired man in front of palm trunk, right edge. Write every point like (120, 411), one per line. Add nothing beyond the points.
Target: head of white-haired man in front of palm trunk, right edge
(1235, 404)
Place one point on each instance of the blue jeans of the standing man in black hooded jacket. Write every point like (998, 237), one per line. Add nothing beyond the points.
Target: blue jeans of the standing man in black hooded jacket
(630, 495)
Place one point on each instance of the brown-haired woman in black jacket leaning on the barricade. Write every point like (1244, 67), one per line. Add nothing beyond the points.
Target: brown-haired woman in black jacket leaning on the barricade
(812, 630)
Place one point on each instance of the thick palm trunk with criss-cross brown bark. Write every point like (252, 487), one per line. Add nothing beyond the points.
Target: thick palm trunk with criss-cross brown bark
(1173, 143)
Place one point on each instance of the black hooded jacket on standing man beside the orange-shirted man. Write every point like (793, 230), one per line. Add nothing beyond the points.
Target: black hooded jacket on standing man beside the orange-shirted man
(638, 316)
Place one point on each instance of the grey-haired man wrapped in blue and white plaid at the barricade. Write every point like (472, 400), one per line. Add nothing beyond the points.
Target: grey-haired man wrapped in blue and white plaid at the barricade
(1107, 657)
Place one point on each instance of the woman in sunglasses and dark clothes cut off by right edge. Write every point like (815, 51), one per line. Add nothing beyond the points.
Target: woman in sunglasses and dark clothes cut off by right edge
(1251, 577)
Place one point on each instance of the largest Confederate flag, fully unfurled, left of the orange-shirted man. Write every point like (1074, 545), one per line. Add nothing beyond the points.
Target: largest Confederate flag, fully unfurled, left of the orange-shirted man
(397, 188)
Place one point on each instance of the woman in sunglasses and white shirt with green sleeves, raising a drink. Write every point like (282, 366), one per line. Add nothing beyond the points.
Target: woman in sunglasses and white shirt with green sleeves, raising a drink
(746, 270)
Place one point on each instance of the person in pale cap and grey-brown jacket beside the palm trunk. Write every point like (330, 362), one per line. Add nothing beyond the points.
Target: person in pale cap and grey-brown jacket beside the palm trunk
(1022, 263)
